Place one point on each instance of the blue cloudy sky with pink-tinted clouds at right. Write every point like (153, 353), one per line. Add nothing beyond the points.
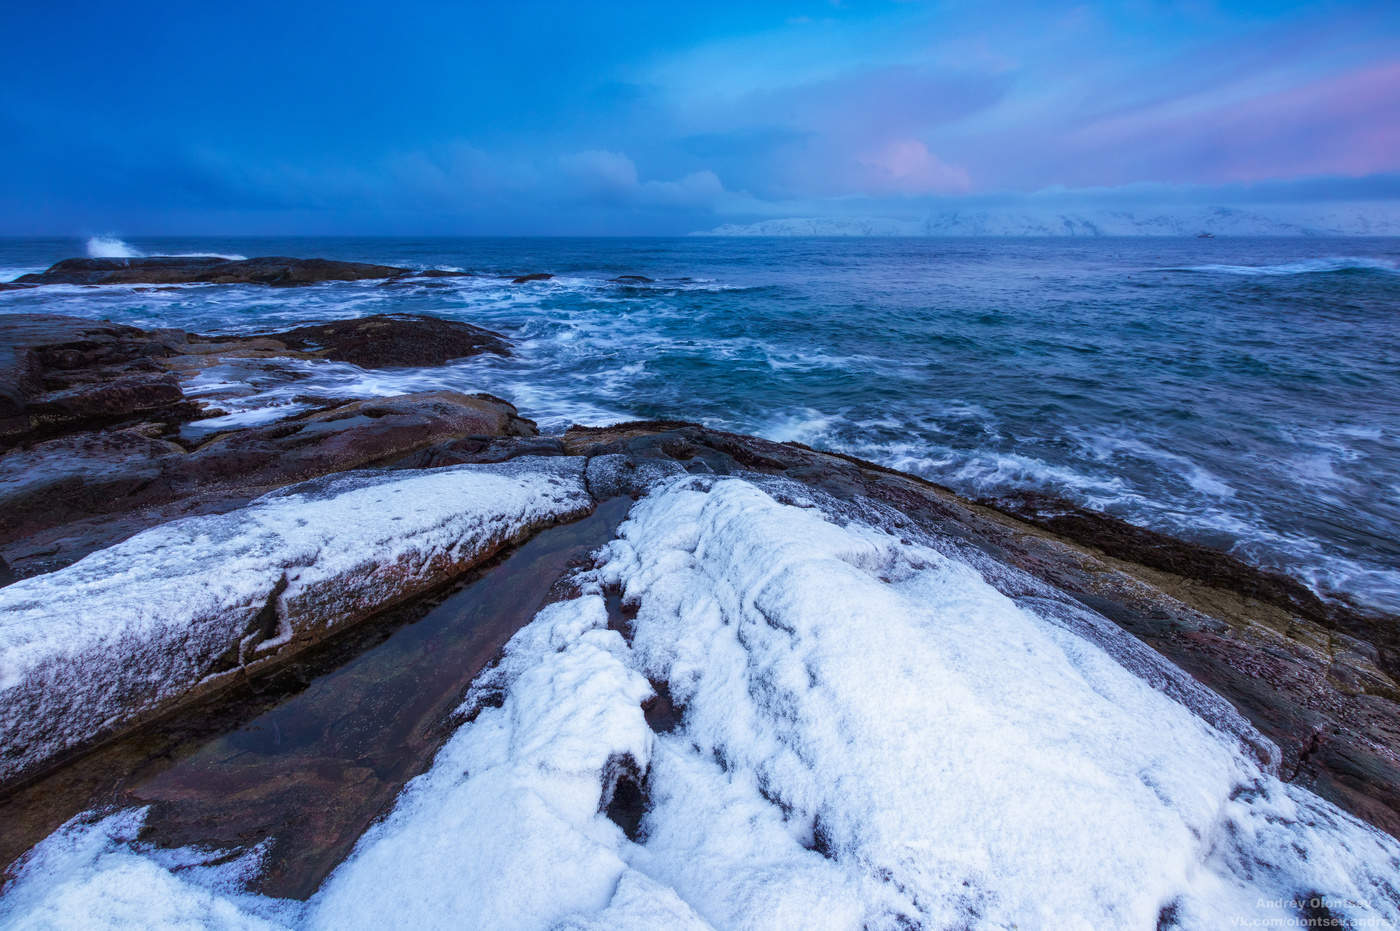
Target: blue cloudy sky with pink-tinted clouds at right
(661, 118)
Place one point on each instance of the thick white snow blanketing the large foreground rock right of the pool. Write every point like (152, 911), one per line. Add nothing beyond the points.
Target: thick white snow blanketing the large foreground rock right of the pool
(873, 736)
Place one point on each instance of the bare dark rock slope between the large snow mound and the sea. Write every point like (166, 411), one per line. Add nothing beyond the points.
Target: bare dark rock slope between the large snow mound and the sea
(1311, 677)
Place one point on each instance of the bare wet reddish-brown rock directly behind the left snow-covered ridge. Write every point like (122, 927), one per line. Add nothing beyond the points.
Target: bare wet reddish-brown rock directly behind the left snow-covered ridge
(54, 492)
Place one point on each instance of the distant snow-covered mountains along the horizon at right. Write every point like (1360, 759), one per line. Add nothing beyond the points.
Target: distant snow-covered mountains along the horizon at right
(1352, 220)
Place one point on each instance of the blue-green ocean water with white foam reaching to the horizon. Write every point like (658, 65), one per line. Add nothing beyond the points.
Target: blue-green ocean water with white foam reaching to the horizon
(1237, 393)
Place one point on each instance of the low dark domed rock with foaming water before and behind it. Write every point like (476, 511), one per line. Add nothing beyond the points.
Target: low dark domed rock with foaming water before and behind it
(387, 341)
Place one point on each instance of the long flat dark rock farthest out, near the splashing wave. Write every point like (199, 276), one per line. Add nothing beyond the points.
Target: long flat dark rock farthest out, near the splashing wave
(278, 271)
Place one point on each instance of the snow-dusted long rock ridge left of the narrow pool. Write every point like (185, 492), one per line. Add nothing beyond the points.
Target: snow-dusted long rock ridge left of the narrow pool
(141, 624)
